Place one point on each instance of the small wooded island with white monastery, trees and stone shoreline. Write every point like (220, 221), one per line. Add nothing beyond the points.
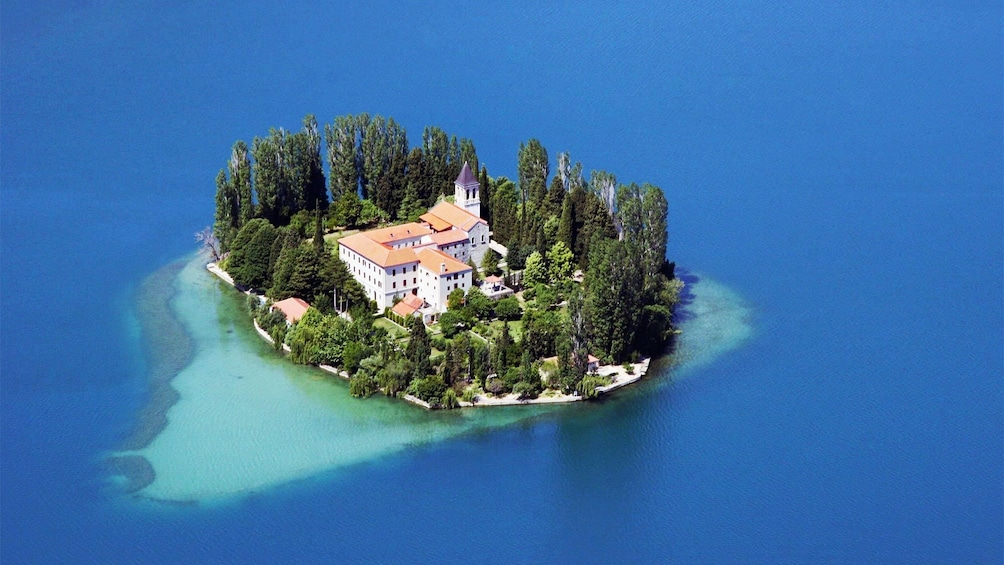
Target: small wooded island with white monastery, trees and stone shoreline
(412, 272)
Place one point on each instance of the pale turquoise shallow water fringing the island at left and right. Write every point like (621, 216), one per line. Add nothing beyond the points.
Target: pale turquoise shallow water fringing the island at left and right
(246, 419)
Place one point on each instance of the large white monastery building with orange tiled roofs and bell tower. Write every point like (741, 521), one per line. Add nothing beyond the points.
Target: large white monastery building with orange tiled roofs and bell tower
(426, 259)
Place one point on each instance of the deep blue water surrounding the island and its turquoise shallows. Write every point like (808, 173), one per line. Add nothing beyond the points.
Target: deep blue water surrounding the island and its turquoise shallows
(839, 166)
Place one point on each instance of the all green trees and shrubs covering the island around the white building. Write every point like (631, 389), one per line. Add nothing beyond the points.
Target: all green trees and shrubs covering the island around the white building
(275, 204)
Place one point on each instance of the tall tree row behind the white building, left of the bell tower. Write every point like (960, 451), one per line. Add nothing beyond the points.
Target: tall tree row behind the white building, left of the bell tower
(374, 175)
